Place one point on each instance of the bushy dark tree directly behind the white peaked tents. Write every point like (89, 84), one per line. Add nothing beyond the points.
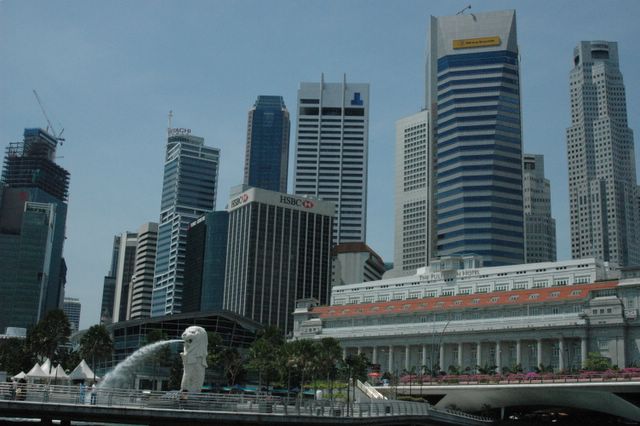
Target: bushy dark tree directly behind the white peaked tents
(48, 335)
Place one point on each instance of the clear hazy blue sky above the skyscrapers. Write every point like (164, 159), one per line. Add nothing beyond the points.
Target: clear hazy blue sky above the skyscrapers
(108, 72)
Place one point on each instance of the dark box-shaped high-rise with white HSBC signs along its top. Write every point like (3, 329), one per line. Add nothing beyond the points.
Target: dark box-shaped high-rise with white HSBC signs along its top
(279, 251)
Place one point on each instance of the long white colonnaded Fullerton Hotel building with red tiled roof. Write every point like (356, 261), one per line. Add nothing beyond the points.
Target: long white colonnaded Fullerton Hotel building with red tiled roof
(458, 314)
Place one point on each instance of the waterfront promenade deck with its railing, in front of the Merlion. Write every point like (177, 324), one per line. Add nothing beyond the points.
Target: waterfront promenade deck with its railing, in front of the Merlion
(70, 403)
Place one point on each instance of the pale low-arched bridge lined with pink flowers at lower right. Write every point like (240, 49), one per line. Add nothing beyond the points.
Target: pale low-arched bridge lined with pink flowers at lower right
(617, 395)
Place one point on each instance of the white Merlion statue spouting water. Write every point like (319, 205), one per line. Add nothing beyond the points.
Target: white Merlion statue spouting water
(194, 358)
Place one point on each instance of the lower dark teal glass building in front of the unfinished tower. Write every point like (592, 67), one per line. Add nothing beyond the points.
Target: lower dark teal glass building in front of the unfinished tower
(26, 259)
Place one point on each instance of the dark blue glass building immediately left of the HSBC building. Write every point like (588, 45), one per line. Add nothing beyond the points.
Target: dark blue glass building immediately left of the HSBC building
(205, 263)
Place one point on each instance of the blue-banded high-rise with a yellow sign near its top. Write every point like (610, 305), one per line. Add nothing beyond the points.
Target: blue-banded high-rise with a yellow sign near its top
(474, 98)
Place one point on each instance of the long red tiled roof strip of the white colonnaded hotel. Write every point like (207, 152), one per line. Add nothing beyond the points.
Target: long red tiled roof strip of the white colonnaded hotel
(475, 300)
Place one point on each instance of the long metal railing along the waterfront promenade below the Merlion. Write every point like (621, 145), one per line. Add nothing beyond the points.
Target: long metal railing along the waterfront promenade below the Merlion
(215, 402)
